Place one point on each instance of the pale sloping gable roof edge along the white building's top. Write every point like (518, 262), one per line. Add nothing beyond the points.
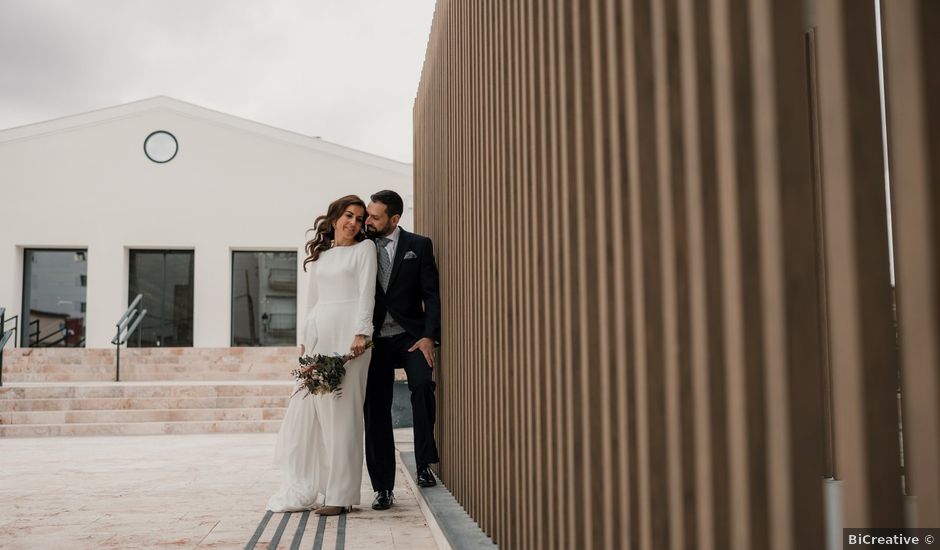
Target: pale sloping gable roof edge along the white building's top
(169, 104)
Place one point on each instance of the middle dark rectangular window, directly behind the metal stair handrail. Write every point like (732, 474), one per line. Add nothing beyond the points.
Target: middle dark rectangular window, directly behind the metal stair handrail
(165, 279)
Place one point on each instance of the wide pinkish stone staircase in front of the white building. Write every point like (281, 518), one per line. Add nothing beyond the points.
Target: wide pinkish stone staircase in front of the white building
(72, 392)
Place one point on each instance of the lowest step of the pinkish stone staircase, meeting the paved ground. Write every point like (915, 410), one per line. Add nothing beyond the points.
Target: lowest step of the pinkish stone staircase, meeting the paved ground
(140, 428)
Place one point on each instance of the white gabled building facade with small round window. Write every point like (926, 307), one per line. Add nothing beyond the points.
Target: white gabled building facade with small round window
(84, 182)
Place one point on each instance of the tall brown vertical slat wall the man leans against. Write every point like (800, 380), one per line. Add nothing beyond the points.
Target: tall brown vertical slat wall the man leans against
(621, 197)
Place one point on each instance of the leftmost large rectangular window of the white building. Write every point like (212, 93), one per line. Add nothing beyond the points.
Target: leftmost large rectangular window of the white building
(54, 288)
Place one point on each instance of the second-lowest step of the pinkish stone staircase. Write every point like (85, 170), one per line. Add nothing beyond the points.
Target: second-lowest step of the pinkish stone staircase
(137, 415)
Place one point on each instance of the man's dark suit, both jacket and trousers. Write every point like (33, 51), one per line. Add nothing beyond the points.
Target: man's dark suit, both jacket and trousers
(412, 302)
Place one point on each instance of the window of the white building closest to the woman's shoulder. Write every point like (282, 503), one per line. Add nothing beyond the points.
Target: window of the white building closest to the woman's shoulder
(264, 298)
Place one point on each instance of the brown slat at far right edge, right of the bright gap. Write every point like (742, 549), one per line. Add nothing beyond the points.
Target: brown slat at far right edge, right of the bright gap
(913, 80)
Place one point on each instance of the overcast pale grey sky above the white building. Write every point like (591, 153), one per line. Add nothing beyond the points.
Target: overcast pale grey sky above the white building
(344, 70)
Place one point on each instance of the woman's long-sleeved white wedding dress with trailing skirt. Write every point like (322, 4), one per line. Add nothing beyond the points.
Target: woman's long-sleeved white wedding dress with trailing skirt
(320, 444)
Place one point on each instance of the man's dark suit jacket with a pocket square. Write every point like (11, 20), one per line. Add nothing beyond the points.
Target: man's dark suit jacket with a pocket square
(413, 297)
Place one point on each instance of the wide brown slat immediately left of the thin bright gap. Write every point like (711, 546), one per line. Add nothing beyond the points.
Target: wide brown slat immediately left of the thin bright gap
(863, 360)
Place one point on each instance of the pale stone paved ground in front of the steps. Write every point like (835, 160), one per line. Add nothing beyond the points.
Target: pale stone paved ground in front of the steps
(173, 491)
